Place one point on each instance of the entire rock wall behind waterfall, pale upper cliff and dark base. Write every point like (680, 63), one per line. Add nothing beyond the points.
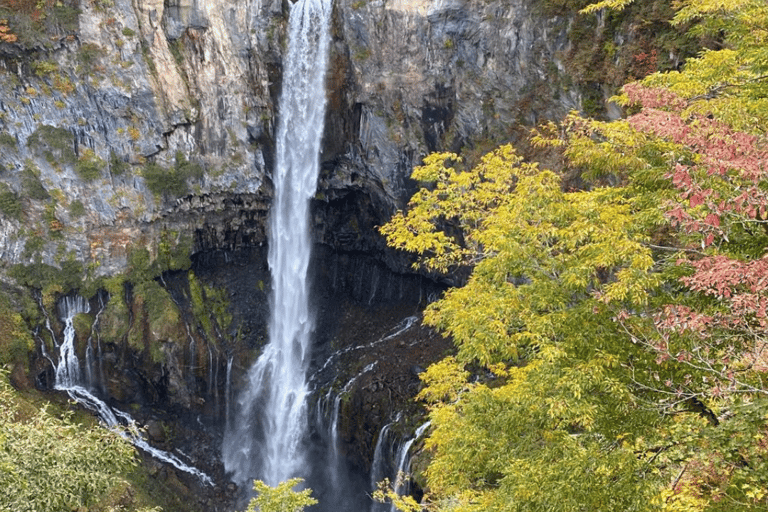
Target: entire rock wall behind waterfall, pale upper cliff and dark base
(138, 142)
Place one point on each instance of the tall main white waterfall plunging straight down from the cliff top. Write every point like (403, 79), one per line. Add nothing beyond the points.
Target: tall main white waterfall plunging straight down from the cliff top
(264, 439)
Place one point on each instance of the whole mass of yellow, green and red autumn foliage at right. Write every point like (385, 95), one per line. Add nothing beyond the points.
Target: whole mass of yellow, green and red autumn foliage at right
(611, 340)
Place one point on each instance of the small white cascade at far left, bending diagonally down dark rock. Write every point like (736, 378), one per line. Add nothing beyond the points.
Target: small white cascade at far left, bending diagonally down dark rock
(69, 379)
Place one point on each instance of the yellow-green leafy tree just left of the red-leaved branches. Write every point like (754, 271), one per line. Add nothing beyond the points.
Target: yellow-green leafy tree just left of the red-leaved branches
(533, 313)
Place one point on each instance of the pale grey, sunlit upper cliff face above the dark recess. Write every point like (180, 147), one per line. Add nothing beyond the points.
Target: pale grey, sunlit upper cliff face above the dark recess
(153, 116)
